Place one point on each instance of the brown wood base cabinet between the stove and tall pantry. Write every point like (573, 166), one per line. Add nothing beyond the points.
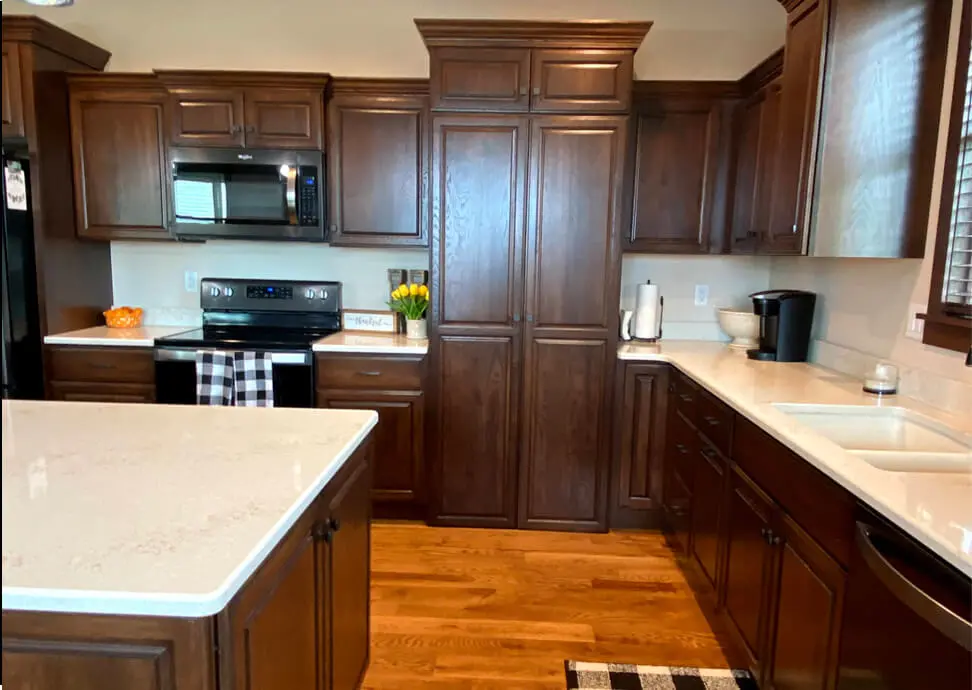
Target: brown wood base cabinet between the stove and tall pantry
(393, 386)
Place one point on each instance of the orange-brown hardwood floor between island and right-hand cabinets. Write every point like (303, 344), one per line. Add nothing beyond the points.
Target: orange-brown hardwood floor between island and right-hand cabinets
(488, 608)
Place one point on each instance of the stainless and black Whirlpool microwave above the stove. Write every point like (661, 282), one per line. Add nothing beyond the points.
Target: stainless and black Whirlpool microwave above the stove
(247, 194)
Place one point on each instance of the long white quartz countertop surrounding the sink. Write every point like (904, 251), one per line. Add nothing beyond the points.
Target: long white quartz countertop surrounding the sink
(935, 508)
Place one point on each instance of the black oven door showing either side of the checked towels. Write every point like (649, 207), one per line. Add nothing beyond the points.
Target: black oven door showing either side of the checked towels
(175, 377)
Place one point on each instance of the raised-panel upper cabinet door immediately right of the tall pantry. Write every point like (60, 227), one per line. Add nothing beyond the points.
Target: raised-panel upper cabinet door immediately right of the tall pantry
(675, 171)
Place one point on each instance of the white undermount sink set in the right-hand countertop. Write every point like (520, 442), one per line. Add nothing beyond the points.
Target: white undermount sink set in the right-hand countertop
(889, 438)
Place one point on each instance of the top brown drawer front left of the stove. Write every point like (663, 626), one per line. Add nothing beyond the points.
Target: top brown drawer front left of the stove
(101, 364)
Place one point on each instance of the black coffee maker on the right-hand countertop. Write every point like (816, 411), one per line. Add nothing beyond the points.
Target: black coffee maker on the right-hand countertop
(785, 318)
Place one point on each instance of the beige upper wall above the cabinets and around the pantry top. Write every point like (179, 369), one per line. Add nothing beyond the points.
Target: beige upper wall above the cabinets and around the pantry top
(691, 39)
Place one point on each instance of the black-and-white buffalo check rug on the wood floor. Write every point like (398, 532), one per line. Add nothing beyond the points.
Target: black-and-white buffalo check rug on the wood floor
(590, 676)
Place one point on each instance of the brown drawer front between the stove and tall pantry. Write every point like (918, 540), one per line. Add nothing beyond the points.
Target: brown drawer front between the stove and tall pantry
(386, 373)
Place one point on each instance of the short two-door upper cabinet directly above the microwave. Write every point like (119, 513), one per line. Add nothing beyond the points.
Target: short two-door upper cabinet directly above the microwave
(252, 109)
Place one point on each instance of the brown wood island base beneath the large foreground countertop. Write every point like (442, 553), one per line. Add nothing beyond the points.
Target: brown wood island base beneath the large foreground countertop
(300, 622)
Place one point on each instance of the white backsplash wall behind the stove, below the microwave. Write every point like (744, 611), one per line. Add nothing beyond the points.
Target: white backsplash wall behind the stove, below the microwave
(152, 275)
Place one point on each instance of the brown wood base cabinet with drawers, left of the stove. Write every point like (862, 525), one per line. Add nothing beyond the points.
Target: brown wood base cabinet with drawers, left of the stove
(100, 374)
